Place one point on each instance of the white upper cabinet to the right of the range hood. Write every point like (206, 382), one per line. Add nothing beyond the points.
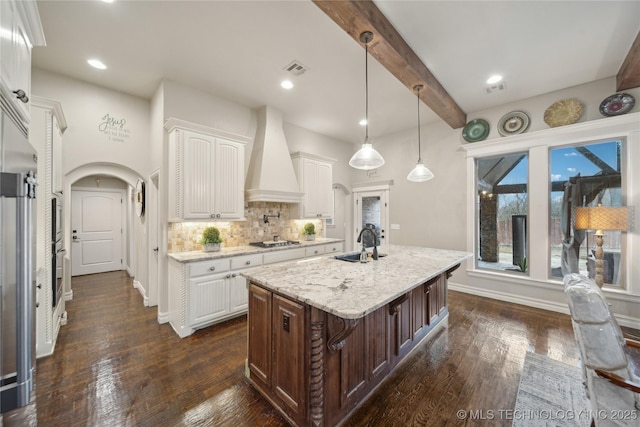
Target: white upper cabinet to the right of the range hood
(315, 177)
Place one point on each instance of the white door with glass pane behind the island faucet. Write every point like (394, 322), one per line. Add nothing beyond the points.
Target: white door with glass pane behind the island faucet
(372, 207)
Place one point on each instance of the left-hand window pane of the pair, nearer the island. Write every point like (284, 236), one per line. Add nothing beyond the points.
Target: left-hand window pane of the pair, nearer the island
(502, 210)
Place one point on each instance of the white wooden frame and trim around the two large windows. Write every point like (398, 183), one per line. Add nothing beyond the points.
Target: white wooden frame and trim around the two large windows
(538, 144)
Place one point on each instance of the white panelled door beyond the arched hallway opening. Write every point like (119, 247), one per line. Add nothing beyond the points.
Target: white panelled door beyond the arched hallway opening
(96, 231)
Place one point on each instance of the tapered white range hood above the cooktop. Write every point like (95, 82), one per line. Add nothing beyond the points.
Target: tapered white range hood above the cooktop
(271, 177)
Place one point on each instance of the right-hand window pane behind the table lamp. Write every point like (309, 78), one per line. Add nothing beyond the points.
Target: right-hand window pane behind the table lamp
(584, 175)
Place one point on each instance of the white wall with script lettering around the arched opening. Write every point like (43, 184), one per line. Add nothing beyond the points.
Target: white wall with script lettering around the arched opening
(94, 145)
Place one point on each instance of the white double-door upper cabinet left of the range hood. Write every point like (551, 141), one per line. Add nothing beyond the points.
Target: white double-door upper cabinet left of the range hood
(206, 173)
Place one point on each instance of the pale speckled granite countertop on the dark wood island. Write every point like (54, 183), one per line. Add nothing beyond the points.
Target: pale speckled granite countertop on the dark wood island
(352, 290)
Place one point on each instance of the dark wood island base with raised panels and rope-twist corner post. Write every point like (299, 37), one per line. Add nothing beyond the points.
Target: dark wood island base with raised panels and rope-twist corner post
(315, 367)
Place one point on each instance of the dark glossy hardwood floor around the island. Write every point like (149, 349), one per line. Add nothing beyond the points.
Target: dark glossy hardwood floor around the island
(114, 365)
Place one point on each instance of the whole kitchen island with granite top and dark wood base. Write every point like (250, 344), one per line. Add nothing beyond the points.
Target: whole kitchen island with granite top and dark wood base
(323, 333)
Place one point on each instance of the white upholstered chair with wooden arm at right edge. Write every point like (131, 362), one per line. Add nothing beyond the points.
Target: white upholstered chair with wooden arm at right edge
(609, 360)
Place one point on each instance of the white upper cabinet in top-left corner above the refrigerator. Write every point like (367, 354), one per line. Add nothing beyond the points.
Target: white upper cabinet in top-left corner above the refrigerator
(21, 30)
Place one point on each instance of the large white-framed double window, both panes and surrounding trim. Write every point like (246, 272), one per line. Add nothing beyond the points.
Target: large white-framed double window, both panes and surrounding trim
(601, 149)
